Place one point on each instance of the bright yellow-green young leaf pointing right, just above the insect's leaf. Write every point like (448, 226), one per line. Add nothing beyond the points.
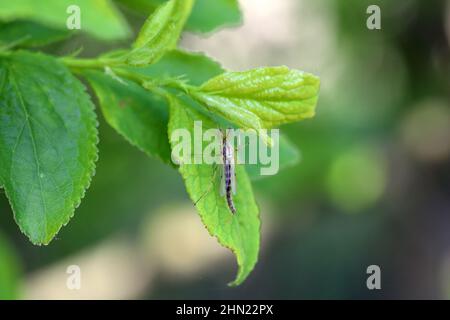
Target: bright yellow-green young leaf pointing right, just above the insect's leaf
(261, 98)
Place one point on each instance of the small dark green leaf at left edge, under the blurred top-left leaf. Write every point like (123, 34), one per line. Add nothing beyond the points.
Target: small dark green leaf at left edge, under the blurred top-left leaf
(29, 33)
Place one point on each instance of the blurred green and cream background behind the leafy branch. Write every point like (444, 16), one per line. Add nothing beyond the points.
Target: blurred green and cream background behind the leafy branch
(372, 186)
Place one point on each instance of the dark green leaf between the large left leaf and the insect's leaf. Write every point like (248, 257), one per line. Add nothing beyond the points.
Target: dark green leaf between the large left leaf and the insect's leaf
(134, 113)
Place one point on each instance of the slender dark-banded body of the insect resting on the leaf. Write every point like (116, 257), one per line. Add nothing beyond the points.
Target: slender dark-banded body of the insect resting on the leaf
(228, 173)
